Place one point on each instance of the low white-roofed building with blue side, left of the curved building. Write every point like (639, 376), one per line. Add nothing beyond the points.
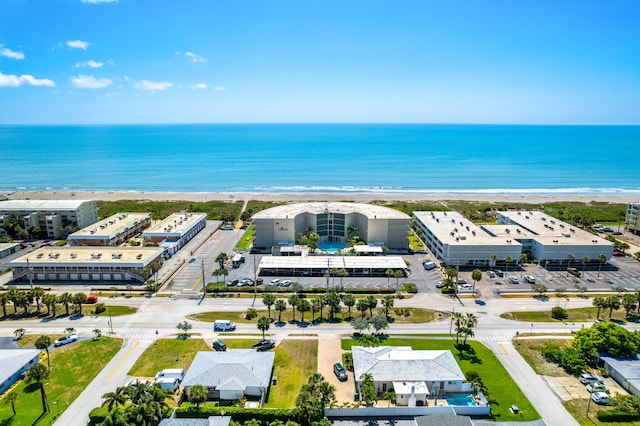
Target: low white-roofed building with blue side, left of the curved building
(176, 230)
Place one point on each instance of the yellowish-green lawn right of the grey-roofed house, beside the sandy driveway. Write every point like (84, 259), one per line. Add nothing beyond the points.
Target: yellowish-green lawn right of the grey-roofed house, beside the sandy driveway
(295, 361)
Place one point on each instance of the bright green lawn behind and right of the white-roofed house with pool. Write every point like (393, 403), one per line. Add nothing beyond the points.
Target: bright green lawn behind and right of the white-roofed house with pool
(503, 390)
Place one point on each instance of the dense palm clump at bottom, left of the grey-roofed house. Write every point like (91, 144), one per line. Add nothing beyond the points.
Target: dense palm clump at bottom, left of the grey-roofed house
(140, 404)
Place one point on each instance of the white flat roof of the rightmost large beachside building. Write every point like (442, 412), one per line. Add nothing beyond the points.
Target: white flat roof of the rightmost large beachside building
(549, 230)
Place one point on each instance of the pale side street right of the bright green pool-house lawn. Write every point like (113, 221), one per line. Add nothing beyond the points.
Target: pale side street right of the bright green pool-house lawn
(536, 390)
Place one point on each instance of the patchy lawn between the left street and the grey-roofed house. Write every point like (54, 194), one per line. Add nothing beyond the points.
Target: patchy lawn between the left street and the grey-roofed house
(168, 353)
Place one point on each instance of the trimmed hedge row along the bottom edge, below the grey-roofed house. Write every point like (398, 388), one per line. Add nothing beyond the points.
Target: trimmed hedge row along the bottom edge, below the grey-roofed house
(238, 414)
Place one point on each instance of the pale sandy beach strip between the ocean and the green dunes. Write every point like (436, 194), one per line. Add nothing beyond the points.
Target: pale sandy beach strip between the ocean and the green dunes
(363, 197)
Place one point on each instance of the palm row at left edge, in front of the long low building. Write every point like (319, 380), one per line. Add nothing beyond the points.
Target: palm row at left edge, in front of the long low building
(24, 299)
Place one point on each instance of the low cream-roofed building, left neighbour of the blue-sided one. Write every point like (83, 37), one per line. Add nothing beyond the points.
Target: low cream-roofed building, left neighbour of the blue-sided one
(111, 231)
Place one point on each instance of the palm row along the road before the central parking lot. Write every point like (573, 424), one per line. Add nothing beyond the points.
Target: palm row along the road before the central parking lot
(331, 300)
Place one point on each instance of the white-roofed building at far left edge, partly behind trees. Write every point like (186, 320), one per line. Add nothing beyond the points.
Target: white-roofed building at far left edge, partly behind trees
(57, 218)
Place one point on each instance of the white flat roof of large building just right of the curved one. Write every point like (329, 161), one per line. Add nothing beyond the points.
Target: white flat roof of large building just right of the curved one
(453, 228)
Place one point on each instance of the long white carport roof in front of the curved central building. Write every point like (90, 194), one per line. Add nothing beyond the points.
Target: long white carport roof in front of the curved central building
(339, 262)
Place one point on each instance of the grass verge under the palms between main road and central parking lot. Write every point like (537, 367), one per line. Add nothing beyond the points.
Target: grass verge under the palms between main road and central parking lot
(416, 316)
